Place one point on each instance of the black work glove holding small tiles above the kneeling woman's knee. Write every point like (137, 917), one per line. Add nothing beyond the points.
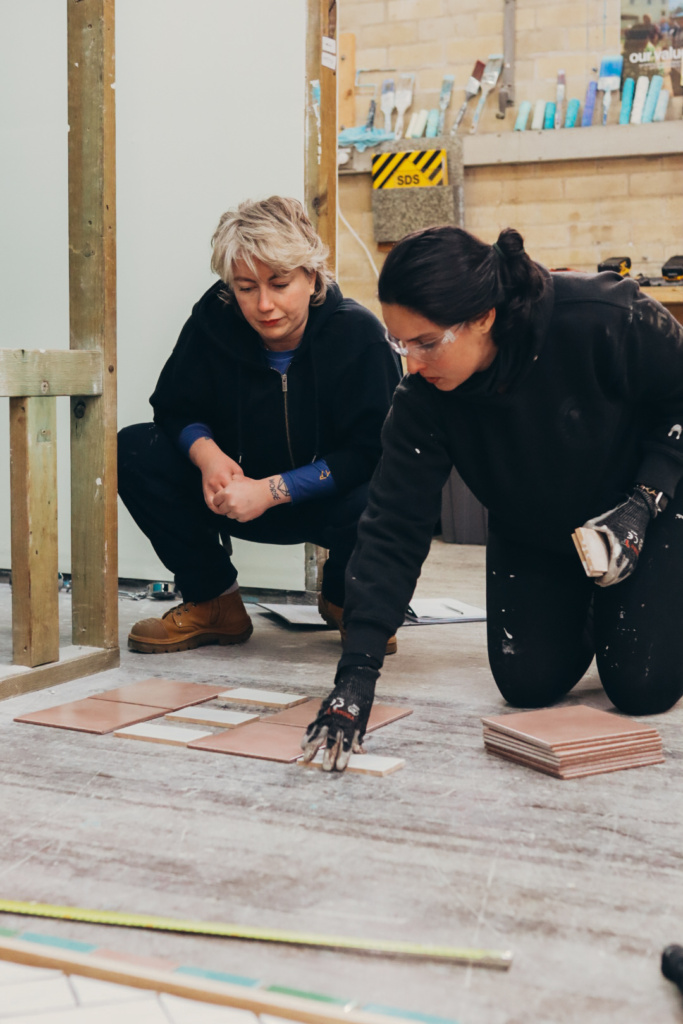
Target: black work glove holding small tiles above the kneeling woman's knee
(624, 530)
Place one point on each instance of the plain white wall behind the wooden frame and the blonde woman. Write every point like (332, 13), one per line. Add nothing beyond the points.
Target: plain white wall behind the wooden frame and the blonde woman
(210, 111)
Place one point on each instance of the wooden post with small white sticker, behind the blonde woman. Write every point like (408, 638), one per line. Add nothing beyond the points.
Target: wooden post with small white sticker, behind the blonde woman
(321, 165)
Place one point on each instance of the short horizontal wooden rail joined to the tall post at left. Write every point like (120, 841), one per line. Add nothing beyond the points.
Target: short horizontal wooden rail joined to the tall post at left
(42, 372)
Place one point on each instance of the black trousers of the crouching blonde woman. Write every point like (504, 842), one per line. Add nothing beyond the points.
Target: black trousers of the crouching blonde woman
(162, 490)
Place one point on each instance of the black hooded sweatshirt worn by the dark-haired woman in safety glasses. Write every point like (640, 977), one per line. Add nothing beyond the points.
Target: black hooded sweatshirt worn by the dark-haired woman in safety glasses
(591, 404)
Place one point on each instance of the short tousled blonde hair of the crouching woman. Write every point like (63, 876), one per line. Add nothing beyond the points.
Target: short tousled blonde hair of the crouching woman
(278, 233)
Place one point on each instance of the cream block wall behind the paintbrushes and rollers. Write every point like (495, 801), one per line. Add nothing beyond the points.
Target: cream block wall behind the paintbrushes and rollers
(572, 214)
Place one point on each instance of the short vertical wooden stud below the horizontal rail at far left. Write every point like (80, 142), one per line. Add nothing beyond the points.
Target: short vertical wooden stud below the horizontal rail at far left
(34, 531)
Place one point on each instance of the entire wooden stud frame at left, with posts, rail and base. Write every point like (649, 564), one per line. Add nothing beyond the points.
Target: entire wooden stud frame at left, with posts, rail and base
(88, 374)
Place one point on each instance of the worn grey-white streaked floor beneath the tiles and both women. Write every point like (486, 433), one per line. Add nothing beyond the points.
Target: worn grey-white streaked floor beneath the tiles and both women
(581, 880)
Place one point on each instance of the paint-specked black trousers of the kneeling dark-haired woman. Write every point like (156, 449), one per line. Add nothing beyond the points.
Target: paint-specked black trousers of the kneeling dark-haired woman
(547, 620)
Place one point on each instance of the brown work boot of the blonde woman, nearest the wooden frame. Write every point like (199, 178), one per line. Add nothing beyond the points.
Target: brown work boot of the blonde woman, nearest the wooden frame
(224, 621)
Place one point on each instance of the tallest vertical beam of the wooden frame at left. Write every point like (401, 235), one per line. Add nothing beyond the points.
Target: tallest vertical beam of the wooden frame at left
(93, 312)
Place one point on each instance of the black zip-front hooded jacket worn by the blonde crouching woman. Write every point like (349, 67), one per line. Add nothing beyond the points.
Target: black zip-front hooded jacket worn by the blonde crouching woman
(330, 405)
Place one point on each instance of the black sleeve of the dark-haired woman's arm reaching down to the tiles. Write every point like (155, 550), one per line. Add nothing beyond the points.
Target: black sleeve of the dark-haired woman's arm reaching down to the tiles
(396, 530)
